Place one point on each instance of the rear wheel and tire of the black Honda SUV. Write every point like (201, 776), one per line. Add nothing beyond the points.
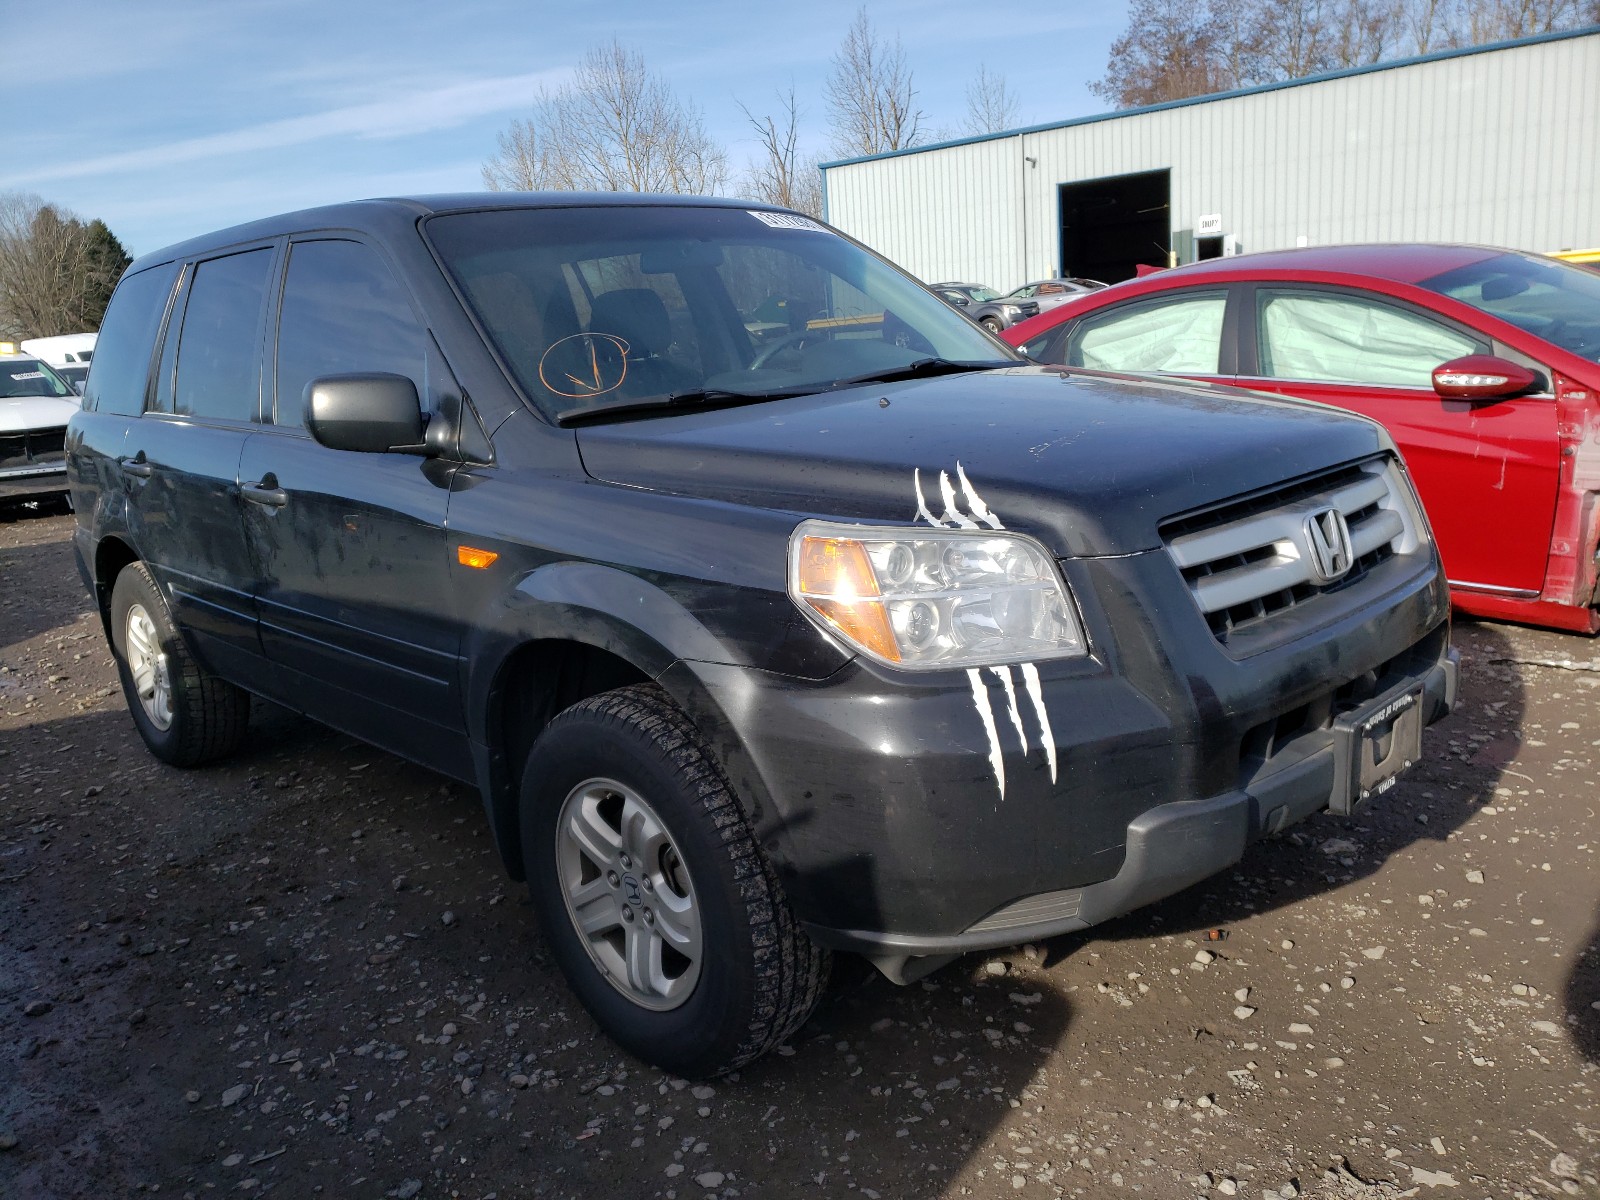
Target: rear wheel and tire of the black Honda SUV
(186, 714)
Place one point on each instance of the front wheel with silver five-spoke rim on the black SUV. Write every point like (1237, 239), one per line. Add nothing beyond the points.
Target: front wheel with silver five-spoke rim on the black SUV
(658, 905)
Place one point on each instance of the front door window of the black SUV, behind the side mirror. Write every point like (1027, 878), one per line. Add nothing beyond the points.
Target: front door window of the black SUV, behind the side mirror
(343, 314)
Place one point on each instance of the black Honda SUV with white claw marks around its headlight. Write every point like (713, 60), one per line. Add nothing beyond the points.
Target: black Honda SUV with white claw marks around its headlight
(772, 606)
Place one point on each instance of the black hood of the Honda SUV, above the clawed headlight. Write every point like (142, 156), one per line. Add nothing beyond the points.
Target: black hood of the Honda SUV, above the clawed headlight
(1089, 463)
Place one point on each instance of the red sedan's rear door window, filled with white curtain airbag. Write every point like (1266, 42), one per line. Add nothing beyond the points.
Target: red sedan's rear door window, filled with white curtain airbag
(1174, 334)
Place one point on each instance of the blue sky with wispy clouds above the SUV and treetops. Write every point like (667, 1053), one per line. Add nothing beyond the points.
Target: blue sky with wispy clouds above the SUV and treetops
(169, 119)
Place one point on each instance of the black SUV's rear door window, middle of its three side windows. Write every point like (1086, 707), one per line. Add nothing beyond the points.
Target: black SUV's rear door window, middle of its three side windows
(218, 351)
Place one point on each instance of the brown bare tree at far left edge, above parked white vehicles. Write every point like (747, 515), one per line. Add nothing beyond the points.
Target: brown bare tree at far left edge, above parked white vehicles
(57, 271)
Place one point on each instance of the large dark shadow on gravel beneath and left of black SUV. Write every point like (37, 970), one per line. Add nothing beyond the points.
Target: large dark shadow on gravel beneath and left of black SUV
(306, 969)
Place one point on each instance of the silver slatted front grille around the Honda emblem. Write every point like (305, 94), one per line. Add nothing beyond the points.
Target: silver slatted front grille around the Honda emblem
(1254, 559)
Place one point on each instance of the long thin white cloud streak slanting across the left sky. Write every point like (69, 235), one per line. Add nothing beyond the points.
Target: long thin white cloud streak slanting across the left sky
(404, 116)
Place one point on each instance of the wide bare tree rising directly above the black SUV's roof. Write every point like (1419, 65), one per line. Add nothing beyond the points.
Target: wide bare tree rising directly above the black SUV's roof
(615, 129)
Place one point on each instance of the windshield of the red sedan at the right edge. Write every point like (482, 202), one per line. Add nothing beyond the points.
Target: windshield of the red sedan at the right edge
(1550, 300)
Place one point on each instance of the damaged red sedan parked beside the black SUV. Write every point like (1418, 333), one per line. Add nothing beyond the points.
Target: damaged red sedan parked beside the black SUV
(1482, 364)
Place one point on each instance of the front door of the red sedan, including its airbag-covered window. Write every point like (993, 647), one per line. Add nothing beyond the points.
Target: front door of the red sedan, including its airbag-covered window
(1487, 473)
